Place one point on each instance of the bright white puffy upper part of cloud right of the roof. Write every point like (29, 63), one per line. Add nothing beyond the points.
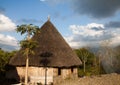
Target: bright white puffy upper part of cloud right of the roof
(88, 29)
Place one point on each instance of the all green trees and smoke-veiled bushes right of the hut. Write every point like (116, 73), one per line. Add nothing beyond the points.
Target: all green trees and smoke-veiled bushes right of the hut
(96, 62)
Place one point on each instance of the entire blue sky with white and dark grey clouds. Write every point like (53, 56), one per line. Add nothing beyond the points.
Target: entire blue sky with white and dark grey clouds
(81, 22)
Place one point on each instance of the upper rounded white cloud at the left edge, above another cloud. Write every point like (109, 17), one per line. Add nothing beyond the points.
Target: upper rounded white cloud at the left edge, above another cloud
(6, 24)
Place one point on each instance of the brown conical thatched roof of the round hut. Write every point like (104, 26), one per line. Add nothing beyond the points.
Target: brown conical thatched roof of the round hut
(51, 51)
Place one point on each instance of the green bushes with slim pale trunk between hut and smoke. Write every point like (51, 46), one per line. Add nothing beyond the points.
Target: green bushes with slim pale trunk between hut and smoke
(91, 65)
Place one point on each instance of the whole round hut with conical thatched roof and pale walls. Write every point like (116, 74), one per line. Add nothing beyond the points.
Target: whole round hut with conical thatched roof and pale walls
(53, 53)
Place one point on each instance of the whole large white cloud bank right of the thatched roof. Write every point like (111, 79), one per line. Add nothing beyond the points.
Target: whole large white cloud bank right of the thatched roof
(91, 35)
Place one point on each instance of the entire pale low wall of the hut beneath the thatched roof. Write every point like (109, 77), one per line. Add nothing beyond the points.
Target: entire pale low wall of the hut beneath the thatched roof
(37, 74)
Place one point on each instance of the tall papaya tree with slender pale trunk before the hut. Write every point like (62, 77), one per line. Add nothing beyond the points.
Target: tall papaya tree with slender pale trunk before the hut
(28, 44)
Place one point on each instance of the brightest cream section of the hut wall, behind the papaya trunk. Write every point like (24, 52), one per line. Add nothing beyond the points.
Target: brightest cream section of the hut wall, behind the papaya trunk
(36, 74)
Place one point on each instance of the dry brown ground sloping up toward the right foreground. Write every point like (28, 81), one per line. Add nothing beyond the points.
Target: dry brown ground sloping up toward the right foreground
(107, 79)
